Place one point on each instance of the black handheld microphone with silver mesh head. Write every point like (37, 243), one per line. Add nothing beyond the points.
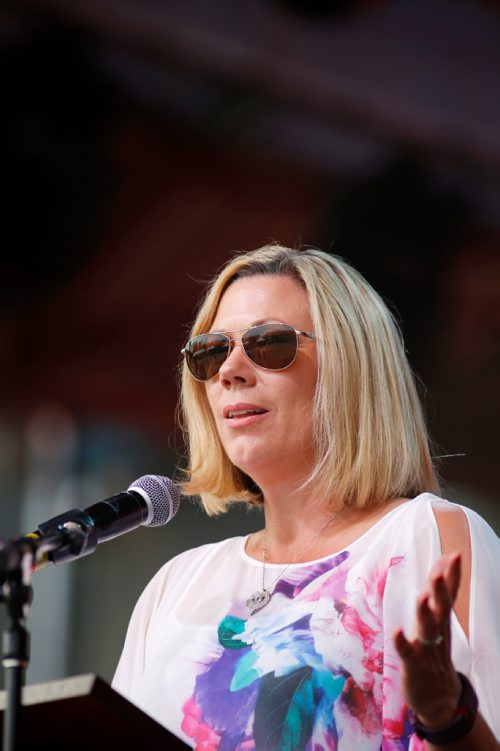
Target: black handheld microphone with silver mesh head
(150, 501)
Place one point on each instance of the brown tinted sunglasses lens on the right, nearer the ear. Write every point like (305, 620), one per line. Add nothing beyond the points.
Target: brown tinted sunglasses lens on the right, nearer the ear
(272, 345)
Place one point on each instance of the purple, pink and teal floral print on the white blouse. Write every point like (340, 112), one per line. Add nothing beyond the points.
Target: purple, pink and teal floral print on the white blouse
(306, 673)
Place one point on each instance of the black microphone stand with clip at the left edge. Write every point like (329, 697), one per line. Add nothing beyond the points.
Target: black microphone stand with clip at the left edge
(17, 563)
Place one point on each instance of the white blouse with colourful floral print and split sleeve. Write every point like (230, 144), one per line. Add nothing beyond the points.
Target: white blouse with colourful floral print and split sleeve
(316, 668)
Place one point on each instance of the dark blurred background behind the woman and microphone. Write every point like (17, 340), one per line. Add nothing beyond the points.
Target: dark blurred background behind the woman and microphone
(142, 143)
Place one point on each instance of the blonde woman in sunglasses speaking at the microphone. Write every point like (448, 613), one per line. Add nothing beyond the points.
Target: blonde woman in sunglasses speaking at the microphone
(343, 623)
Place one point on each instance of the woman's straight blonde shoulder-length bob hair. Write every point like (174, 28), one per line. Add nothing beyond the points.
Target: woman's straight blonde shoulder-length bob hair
(371, 442)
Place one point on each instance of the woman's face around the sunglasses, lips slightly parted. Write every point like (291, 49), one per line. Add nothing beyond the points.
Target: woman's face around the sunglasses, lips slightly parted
(277, 443)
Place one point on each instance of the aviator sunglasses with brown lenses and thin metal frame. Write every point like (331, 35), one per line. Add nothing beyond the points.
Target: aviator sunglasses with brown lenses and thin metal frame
(272, 346)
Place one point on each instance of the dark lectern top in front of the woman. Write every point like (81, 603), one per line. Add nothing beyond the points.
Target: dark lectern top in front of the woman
(84, 713)
